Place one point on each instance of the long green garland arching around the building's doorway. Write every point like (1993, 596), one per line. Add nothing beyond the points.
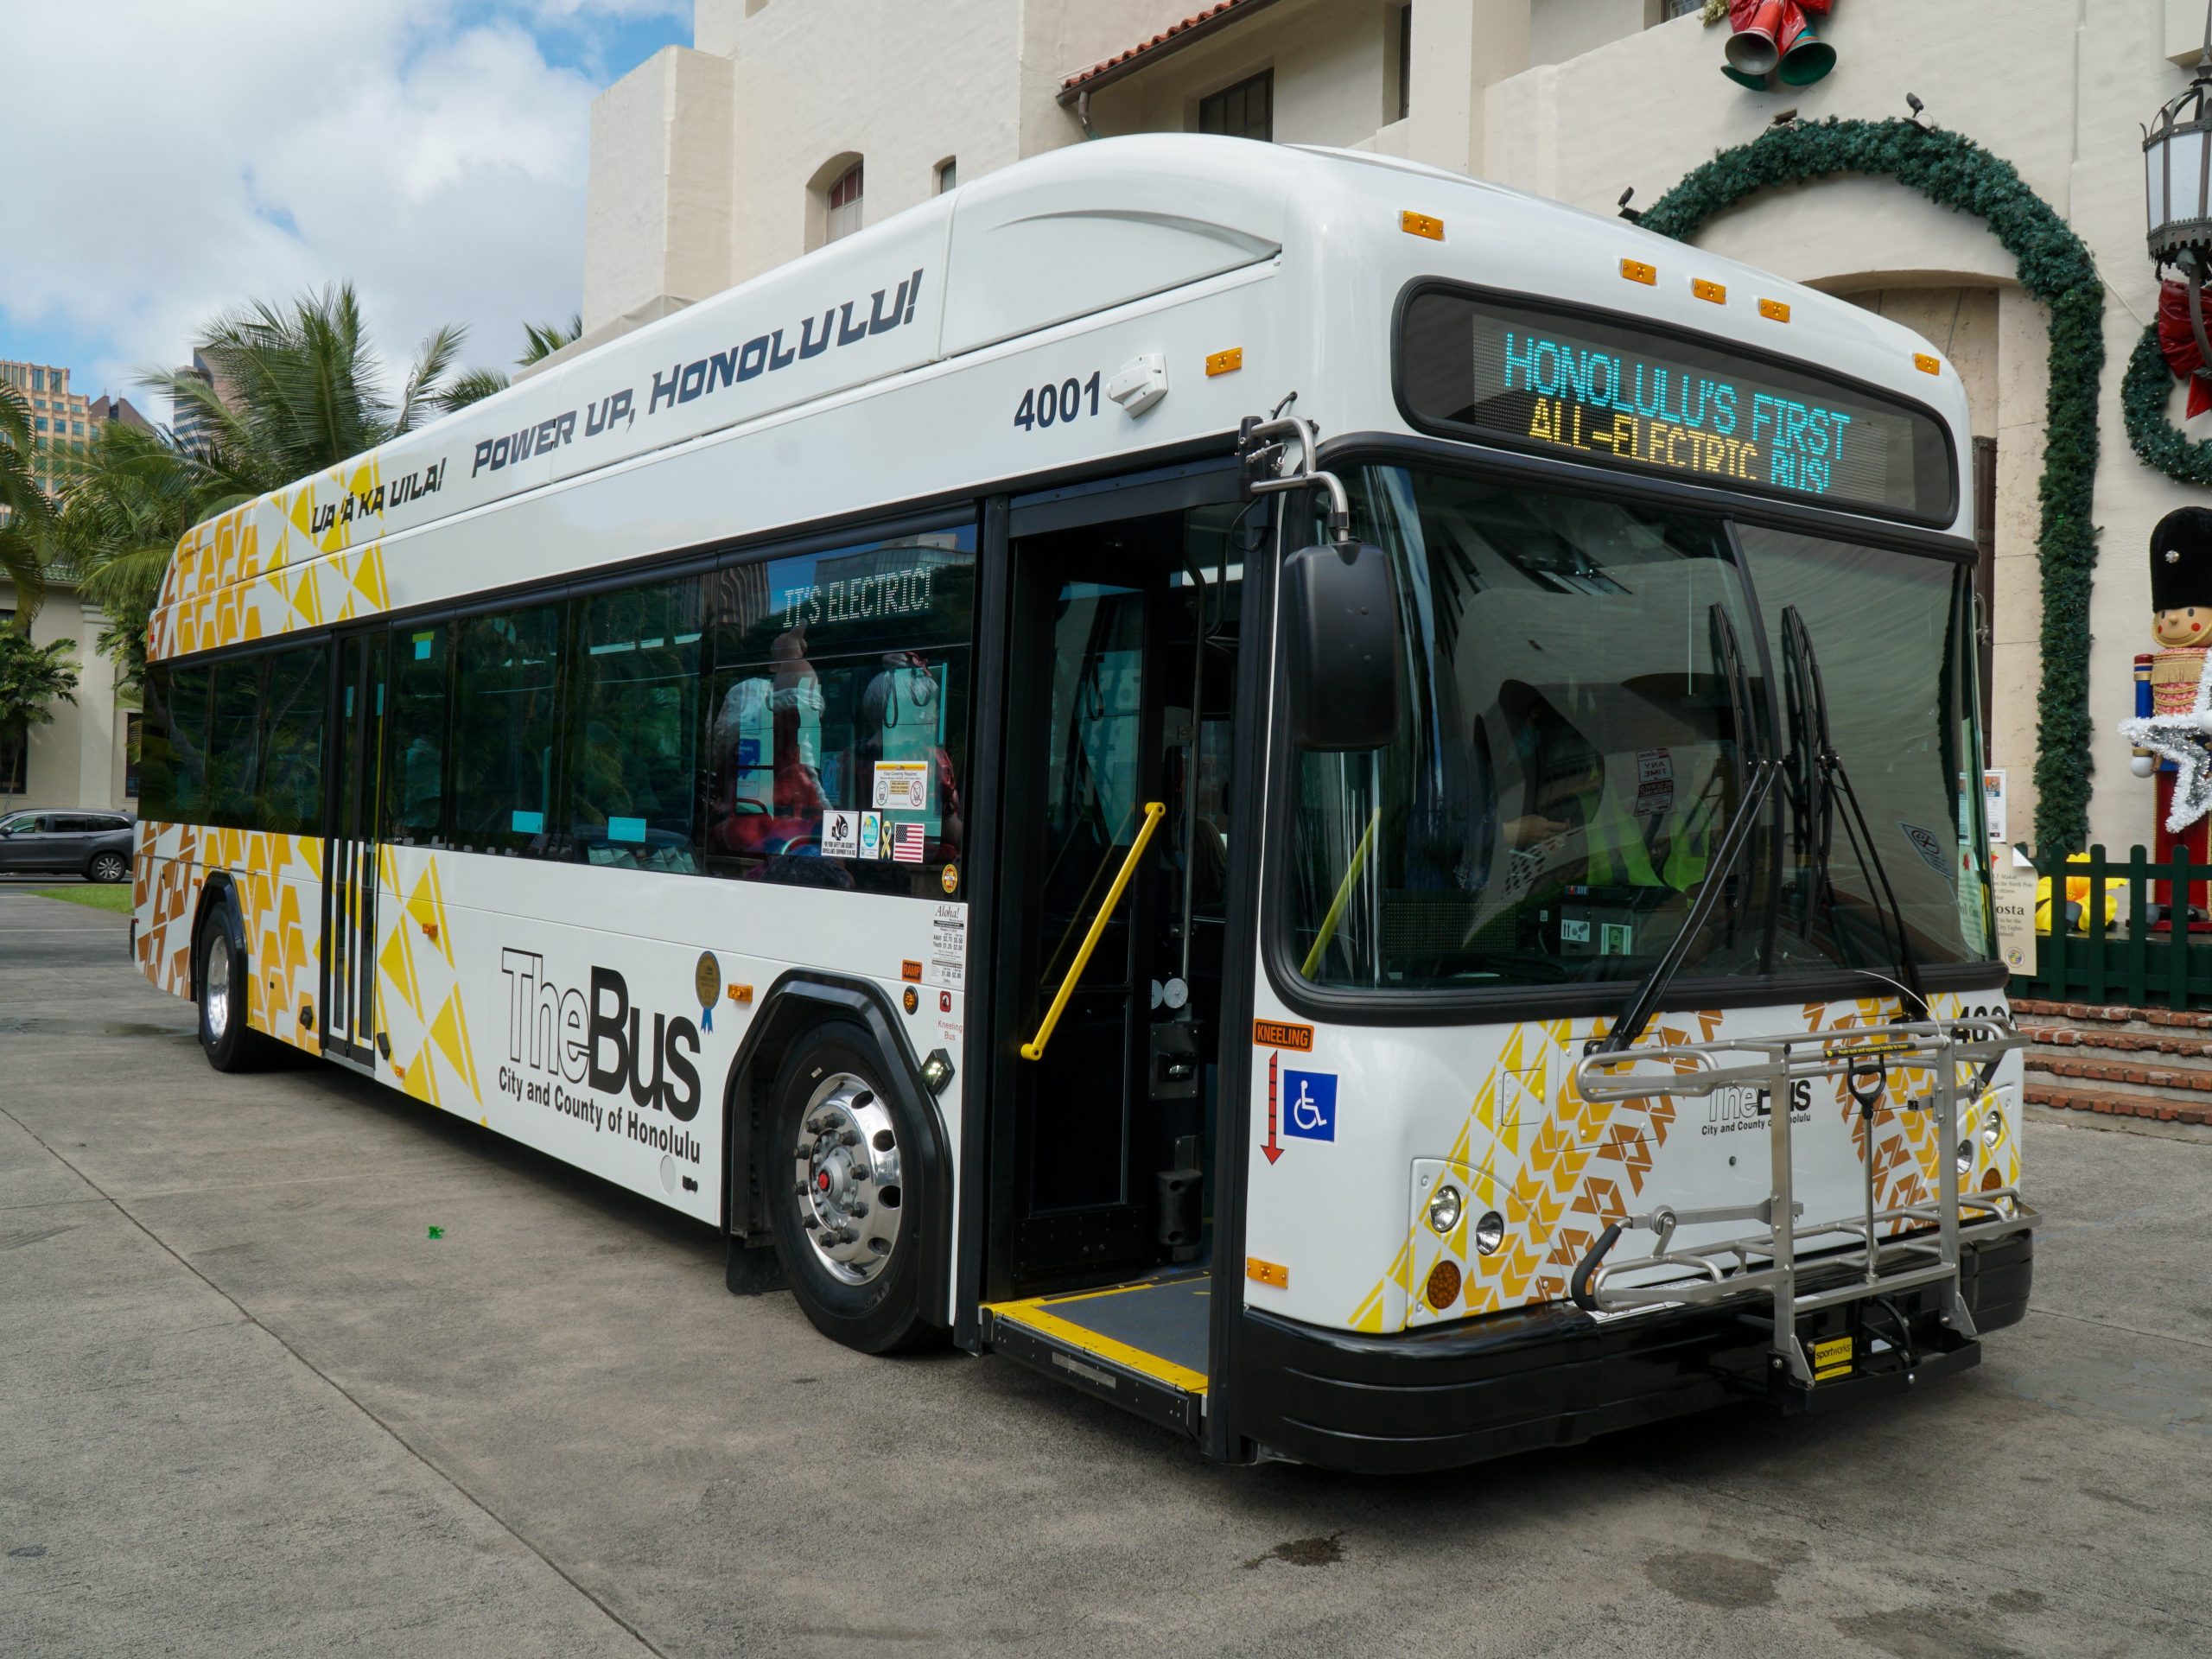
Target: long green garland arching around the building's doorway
(2056, 269)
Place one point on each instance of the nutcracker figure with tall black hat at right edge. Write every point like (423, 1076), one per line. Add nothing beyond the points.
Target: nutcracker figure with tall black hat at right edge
(2171, 698)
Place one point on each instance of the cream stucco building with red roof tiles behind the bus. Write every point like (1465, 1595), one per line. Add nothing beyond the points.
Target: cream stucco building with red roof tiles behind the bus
(791, 121)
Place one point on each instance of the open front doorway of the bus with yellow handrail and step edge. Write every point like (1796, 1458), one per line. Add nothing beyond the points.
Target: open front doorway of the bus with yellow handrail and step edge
(1109, 941)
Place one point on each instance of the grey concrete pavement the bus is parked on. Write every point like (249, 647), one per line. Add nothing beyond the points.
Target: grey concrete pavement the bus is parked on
(251, 1408)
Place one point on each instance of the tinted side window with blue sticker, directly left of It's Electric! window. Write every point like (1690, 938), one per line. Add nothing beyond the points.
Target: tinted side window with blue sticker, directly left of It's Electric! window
(634, 735)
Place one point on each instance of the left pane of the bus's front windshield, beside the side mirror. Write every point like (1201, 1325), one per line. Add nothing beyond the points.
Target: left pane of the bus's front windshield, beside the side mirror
(1572, 747)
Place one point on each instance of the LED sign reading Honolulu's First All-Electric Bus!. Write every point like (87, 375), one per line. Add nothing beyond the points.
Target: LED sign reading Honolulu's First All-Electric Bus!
(1616, 395)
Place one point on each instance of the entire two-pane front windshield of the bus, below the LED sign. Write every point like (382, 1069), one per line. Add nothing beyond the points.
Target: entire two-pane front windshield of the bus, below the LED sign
(1587, 691)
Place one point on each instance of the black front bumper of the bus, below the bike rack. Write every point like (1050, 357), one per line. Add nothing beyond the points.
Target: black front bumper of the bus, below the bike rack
(1554, 1377)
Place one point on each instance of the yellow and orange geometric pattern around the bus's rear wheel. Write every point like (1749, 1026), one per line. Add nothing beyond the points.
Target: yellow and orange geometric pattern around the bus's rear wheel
(275, 884)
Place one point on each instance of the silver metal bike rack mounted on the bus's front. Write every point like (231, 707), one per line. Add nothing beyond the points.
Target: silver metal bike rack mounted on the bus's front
(1926, 1240)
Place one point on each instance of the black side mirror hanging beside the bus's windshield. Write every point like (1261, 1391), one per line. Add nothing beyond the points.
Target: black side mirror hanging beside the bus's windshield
(1342, 649)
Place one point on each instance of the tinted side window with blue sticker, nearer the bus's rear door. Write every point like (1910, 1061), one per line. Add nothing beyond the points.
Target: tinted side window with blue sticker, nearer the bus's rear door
(505, 729)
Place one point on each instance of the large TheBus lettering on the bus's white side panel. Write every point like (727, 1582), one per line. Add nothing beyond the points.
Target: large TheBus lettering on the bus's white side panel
(598, 1039)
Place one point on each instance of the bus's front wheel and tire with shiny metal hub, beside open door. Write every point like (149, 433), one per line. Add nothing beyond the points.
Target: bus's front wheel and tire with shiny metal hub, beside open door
(844, 1193)
